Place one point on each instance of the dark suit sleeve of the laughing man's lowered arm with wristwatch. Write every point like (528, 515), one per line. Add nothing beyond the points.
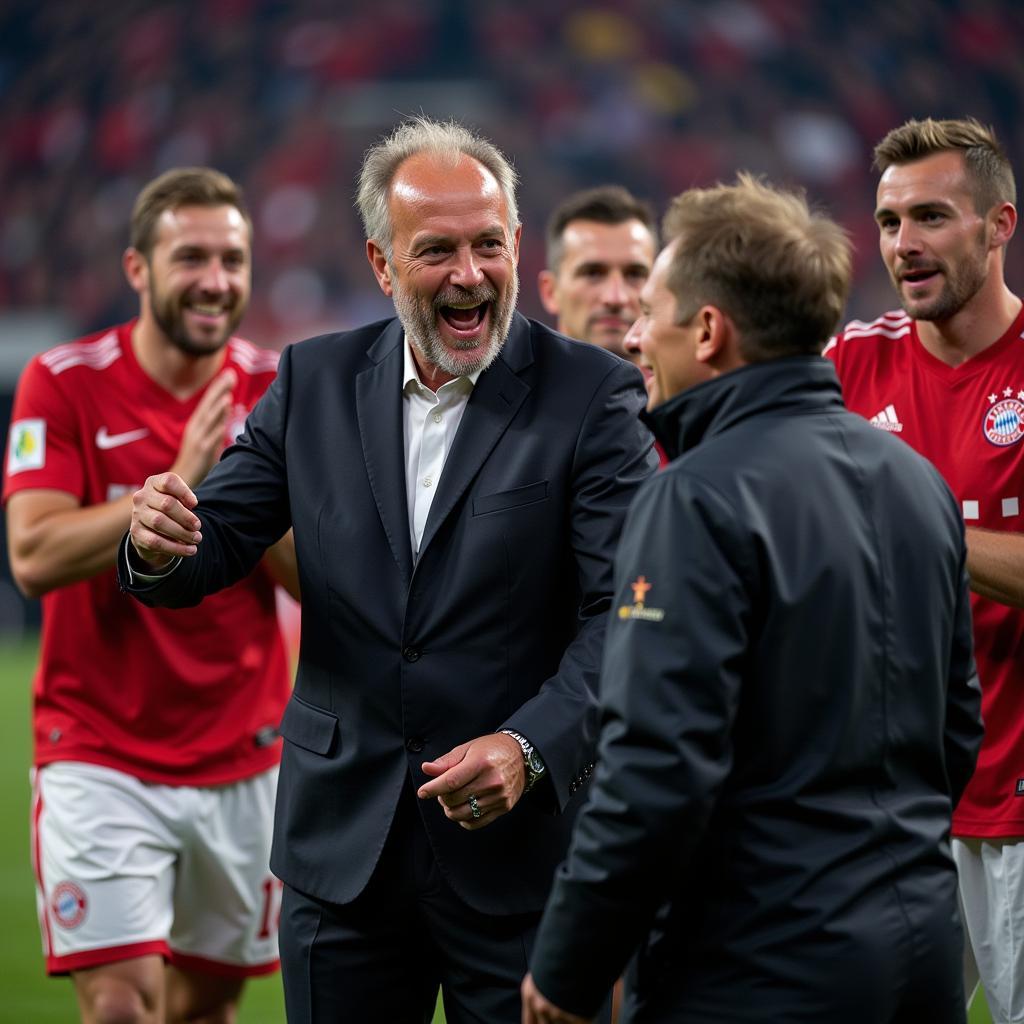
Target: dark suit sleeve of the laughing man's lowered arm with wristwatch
(614, 456)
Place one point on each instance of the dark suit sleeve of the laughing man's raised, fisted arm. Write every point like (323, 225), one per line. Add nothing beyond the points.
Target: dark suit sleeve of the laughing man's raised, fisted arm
(243, 508)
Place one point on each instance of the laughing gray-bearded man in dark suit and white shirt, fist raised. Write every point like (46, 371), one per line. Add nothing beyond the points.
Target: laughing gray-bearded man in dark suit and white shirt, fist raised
(457, 481)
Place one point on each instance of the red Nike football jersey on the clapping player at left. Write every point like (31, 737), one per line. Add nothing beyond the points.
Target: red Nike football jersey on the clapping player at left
(190, 697)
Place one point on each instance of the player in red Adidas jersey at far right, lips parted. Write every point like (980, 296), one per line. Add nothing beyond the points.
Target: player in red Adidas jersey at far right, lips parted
(947, 375)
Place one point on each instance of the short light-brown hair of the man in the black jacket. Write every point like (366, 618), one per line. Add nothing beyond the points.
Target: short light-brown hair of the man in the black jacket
(781, 272)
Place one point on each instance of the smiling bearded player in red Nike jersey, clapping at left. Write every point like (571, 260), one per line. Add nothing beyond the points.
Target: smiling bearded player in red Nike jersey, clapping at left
(156, 745)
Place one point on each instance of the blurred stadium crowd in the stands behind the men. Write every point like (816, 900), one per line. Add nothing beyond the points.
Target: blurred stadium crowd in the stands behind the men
(659, 95)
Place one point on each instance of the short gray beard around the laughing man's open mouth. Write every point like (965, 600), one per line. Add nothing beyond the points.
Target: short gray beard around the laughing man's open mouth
(419, 318)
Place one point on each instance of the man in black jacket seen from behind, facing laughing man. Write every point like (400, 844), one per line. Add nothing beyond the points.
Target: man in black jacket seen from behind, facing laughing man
(790, 706)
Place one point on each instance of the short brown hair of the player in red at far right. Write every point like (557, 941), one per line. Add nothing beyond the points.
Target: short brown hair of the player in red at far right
(990, 175)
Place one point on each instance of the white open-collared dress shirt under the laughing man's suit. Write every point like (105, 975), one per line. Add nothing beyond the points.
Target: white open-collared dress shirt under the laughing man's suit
(431, 421)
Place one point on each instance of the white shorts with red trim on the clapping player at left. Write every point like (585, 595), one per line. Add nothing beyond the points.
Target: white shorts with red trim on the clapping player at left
(127, 869)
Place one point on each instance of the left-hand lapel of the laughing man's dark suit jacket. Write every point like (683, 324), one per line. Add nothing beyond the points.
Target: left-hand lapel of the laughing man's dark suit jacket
(378, 403)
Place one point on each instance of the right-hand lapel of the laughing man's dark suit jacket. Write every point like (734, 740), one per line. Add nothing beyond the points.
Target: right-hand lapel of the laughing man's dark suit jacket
(497, 397)
